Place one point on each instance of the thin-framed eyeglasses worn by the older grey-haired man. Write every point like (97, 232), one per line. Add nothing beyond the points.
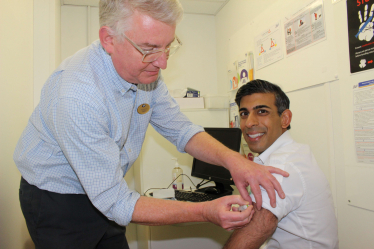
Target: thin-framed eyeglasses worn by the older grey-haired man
(151, 56)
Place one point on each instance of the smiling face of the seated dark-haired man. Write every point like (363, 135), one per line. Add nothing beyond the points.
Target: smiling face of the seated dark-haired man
(260, 122)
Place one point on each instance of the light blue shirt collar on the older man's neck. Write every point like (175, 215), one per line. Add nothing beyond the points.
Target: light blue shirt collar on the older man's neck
(122, 85)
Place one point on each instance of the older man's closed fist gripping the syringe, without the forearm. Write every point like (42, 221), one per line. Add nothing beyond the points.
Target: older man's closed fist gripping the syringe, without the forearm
(218, 212)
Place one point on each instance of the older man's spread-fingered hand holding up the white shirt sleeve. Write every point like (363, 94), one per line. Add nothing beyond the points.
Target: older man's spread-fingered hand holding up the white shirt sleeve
(246, 172)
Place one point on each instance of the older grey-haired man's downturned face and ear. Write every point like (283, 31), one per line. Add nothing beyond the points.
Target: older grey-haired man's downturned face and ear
(149, 34)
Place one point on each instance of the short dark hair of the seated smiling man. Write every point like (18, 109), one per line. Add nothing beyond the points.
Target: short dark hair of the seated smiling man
(282, 102)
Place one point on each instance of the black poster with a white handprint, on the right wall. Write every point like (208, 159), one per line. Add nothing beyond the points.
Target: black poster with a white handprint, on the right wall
(360, 32)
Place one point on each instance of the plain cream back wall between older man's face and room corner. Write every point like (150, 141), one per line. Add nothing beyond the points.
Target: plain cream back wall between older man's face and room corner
(194, 65)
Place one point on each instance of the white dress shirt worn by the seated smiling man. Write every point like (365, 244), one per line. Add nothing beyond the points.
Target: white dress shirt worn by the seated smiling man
(306, 217)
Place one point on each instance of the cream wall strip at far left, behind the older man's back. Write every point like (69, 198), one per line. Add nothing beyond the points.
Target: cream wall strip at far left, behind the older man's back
(16, 105)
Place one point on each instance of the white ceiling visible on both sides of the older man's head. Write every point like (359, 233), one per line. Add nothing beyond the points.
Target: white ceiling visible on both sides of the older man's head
(206, 7)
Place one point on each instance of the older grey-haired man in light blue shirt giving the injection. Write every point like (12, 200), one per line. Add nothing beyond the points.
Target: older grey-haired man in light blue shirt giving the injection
(89, 128)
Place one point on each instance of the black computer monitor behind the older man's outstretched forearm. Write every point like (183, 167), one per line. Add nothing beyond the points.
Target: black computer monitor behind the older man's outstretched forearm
(231, 138)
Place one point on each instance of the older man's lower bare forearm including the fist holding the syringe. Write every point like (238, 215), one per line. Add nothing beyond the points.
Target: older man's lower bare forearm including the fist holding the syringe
(150, 211)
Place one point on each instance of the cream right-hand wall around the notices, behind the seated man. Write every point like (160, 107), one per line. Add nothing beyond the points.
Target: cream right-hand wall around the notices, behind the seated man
(323, 113)
